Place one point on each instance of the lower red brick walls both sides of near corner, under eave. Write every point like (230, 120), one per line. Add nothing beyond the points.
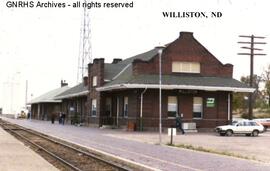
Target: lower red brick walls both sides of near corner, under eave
(211, 116)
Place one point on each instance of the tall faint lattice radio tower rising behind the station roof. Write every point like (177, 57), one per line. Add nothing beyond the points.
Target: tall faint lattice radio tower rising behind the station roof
(85, 53)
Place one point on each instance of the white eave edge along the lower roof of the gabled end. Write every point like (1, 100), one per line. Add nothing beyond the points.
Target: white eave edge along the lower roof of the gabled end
(171, 87)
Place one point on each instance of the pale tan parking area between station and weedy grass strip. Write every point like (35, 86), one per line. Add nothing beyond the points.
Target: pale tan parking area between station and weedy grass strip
(252, 147)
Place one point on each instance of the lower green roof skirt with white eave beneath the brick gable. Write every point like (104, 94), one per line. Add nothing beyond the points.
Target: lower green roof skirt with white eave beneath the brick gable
(126, 79)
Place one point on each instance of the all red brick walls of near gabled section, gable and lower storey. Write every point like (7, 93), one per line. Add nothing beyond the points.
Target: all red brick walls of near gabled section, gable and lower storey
(186, 49)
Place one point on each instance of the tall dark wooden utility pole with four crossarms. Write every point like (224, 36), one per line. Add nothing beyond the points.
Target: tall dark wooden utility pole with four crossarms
(251, 54)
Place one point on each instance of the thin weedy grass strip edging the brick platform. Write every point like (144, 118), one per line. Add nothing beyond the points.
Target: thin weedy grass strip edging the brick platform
(202, 149)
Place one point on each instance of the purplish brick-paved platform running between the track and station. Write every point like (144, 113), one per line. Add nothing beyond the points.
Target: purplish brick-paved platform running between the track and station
(154, 156)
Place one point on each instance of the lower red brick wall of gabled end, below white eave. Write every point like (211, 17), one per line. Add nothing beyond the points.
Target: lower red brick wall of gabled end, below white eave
(211, 116)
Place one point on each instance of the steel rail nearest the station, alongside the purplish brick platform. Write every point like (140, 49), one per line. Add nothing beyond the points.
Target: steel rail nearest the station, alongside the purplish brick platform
(118, 166)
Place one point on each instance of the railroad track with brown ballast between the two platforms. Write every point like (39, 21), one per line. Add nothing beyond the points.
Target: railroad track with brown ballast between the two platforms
(63, 155)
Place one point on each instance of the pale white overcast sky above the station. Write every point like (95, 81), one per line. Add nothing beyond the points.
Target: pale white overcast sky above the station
(42, 45)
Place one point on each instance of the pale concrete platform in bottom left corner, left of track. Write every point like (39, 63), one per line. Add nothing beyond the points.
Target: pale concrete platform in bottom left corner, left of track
(14, 155)
